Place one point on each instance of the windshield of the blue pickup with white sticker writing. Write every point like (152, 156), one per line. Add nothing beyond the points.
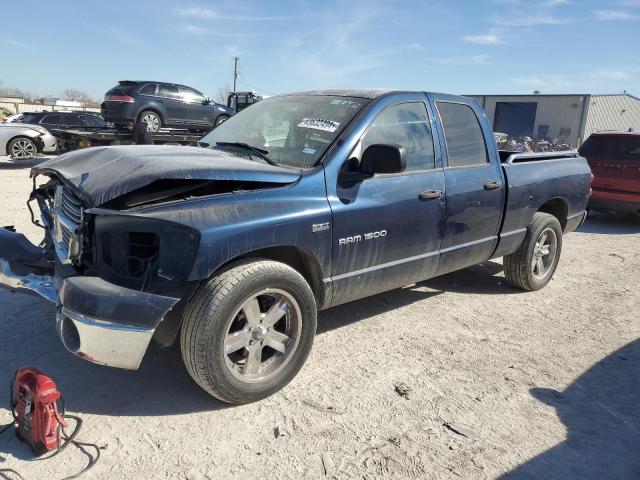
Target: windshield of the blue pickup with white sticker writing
(295, 130)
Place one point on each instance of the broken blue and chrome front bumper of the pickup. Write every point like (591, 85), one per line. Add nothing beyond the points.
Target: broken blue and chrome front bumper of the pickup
(96, 320)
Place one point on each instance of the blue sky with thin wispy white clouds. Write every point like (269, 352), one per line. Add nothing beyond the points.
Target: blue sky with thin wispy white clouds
(462, 47)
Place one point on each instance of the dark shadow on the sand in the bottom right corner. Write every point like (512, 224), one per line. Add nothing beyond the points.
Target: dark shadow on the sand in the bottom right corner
(601, 412)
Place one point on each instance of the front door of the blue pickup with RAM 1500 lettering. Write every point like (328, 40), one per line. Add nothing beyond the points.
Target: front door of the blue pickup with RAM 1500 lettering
(387, 229)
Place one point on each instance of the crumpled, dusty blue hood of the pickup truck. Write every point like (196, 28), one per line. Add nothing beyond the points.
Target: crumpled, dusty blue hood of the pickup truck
(100, 174)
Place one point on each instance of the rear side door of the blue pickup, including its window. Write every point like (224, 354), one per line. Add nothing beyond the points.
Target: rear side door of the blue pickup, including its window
(473, 184)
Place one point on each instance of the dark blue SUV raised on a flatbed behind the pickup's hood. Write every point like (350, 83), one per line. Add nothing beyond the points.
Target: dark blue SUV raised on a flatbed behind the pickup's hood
(160, 105)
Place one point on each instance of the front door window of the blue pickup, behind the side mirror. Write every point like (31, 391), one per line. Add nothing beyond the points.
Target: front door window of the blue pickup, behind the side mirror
(406, 124)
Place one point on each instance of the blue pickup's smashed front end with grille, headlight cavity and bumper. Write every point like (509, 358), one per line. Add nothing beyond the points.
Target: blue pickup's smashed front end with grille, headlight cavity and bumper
(101, 283)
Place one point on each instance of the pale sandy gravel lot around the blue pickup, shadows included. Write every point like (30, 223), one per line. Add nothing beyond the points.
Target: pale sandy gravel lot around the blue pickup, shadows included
(547, 383)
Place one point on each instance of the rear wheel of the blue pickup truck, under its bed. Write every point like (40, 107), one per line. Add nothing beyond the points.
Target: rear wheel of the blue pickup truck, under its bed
(519, 268)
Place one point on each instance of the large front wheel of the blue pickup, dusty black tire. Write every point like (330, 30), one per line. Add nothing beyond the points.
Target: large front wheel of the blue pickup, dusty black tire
(214, 310)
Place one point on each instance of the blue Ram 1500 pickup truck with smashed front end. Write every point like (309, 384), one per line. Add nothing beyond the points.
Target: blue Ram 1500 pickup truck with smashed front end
(298, 203)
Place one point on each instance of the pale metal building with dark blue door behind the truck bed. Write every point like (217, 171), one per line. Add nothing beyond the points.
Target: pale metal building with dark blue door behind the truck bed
(569, 118)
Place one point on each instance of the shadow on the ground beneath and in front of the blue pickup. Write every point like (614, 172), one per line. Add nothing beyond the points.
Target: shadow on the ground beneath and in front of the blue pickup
(162, 385)
